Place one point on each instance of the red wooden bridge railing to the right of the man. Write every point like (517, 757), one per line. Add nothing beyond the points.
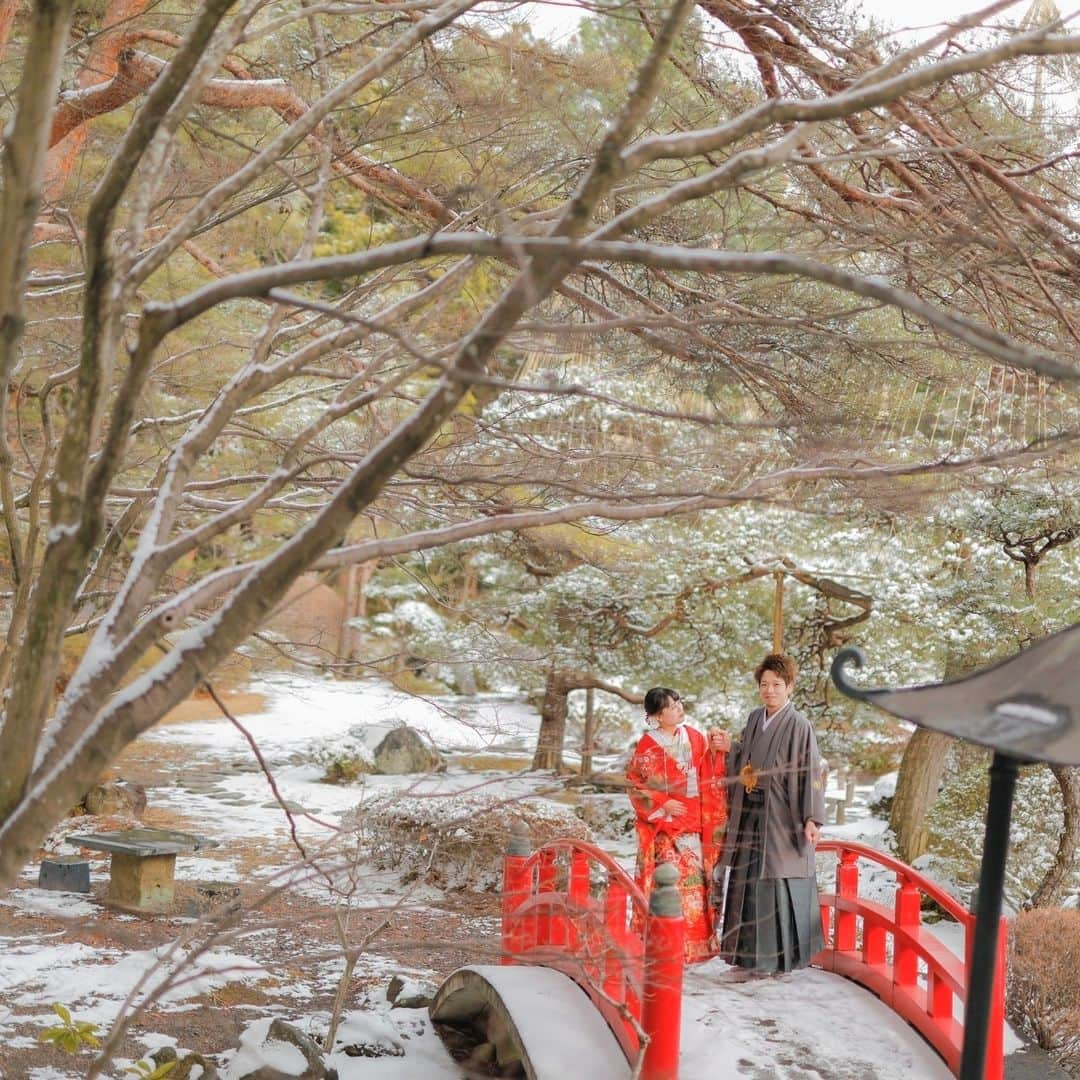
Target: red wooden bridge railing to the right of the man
(888, 951)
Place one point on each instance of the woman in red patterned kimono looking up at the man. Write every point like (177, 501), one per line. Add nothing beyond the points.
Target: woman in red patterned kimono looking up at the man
(677, 780)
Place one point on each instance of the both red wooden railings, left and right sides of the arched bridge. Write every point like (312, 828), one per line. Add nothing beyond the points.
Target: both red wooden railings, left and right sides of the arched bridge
(570, 906)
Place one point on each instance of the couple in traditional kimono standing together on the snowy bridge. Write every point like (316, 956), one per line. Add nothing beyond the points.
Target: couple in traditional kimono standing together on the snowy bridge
(739, 821)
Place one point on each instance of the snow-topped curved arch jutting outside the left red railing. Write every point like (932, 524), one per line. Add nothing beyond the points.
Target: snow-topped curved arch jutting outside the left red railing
(530, 1022)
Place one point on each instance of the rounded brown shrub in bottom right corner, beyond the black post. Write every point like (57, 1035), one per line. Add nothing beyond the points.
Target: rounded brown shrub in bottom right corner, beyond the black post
(1044, 982)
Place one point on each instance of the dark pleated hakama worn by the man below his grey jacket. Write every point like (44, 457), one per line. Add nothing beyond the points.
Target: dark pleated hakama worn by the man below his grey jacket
(771, 925)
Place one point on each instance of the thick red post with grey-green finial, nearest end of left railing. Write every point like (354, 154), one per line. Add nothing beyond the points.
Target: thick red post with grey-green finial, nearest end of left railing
(663, 1005)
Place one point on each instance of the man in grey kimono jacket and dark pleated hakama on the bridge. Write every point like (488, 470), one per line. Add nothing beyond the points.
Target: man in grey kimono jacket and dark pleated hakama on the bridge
(772, 916)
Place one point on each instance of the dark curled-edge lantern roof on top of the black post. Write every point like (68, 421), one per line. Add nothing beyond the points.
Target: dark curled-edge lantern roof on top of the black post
(1027, 707)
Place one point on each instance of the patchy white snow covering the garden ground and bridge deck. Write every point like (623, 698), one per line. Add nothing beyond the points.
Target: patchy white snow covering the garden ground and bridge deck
(808, 1024)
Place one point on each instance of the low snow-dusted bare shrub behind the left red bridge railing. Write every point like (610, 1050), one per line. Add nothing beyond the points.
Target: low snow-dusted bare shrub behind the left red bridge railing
(455, 842)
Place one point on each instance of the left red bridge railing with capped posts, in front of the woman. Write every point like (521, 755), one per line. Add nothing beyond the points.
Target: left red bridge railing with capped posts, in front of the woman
(570, 906)
